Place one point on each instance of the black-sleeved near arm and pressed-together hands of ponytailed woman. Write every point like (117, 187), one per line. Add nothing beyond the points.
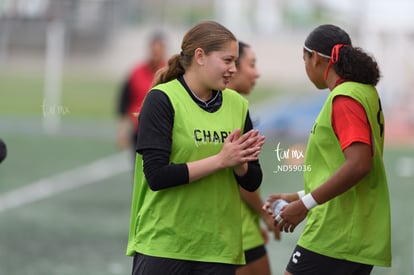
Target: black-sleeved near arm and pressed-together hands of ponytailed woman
(154, 143)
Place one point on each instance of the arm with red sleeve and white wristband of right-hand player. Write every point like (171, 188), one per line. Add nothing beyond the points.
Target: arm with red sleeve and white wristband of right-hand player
(352, 128)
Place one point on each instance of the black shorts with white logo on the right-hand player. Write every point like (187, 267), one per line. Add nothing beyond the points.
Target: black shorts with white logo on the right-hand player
(307, 262)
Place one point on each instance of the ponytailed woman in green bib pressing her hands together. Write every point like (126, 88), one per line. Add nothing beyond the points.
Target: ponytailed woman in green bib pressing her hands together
(195, 147)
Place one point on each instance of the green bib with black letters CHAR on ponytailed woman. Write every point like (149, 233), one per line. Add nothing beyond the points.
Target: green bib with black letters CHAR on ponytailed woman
(199, 221)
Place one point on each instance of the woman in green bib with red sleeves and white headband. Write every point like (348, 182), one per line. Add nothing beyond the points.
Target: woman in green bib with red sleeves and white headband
(345, 200)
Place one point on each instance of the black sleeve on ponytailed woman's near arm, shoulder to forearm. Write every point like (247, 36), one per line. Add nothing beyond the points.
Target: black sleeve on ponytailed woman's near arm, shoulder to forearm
(154, 143)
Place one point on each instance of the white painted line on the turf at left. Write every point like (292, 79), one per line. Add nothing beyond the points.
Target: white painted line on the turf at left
(47, 187)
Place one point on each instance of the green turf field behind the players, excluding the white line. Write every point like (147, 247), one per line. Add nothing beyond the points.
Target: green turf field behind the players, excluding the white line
(83, 230)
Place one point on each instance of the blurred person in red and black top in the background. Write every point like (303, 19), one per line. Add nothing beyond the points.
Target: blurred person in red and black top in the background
(134, 89)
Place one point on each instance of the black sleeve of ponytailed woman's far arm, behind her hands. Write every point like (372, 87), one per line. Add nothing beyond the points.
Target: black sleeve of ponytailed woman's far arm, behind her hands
(253, 178)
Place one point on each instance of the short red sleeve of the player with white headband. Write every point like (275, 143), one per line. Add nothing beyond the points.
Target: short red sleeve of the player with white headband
(350, 122)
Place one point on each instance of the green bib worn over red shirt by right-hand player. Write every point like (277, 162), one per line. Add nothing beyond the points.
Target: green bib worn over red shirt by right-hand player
(355, 225)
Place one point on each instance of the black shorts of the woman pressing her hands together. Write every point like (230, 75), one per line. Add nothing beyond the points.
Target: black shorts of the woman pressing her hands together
(149, 265)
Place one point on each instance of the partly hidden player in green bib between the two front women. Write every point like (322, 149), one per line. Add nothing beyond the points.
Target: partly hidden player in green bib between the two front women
(254, 236)
